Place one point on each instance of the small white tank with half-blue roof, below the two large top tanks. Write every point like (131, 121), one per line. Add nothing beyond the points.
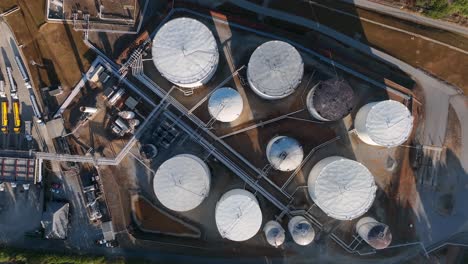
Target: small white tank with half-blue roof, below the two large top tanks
(225, 104)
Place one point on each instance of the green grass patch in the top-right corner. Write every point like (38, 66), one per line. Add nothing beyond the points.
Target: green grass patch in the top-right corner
(442, 9)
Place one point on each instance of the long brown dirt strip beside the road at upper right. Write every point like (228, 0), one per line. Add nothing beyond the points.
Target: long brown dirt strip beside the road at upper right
(441, 61)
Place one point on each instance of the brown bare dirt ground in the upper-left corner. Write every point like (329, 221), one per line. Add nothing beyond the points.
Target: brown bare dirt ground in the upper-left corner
(58, 51)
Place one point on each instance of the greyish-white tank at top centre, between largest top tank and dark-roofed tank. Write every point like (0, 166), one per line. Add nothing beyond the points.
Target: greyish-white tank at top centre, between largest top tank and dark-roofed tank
(275, 70)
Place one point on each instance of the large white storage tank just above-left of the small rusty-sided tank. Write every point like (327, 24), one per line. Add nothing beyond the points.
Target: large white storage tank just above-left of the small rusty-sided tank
(344, 189)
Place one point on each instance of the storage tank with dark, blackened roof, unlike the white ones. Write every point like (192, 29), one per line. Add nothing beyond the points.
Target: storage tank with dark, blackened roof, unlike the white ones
(331, 100)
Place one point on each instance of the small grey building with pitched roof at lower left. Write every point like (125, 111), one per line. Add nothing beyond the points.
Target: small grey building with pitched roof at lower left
(55, 220)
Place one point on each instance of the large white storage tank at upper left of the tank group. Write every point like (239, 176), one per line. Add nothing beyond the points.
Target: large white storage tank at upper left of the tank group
(185, 52)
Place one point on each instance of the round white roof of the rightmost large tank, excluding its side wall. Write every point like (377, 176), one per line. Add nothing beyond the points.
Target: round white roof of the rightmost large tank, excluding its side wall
(389, 123)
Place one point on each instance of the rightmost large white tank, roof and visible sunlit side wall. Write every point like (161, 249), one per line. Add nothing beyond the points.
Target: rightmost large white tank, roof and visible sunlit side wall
(386, 123)
